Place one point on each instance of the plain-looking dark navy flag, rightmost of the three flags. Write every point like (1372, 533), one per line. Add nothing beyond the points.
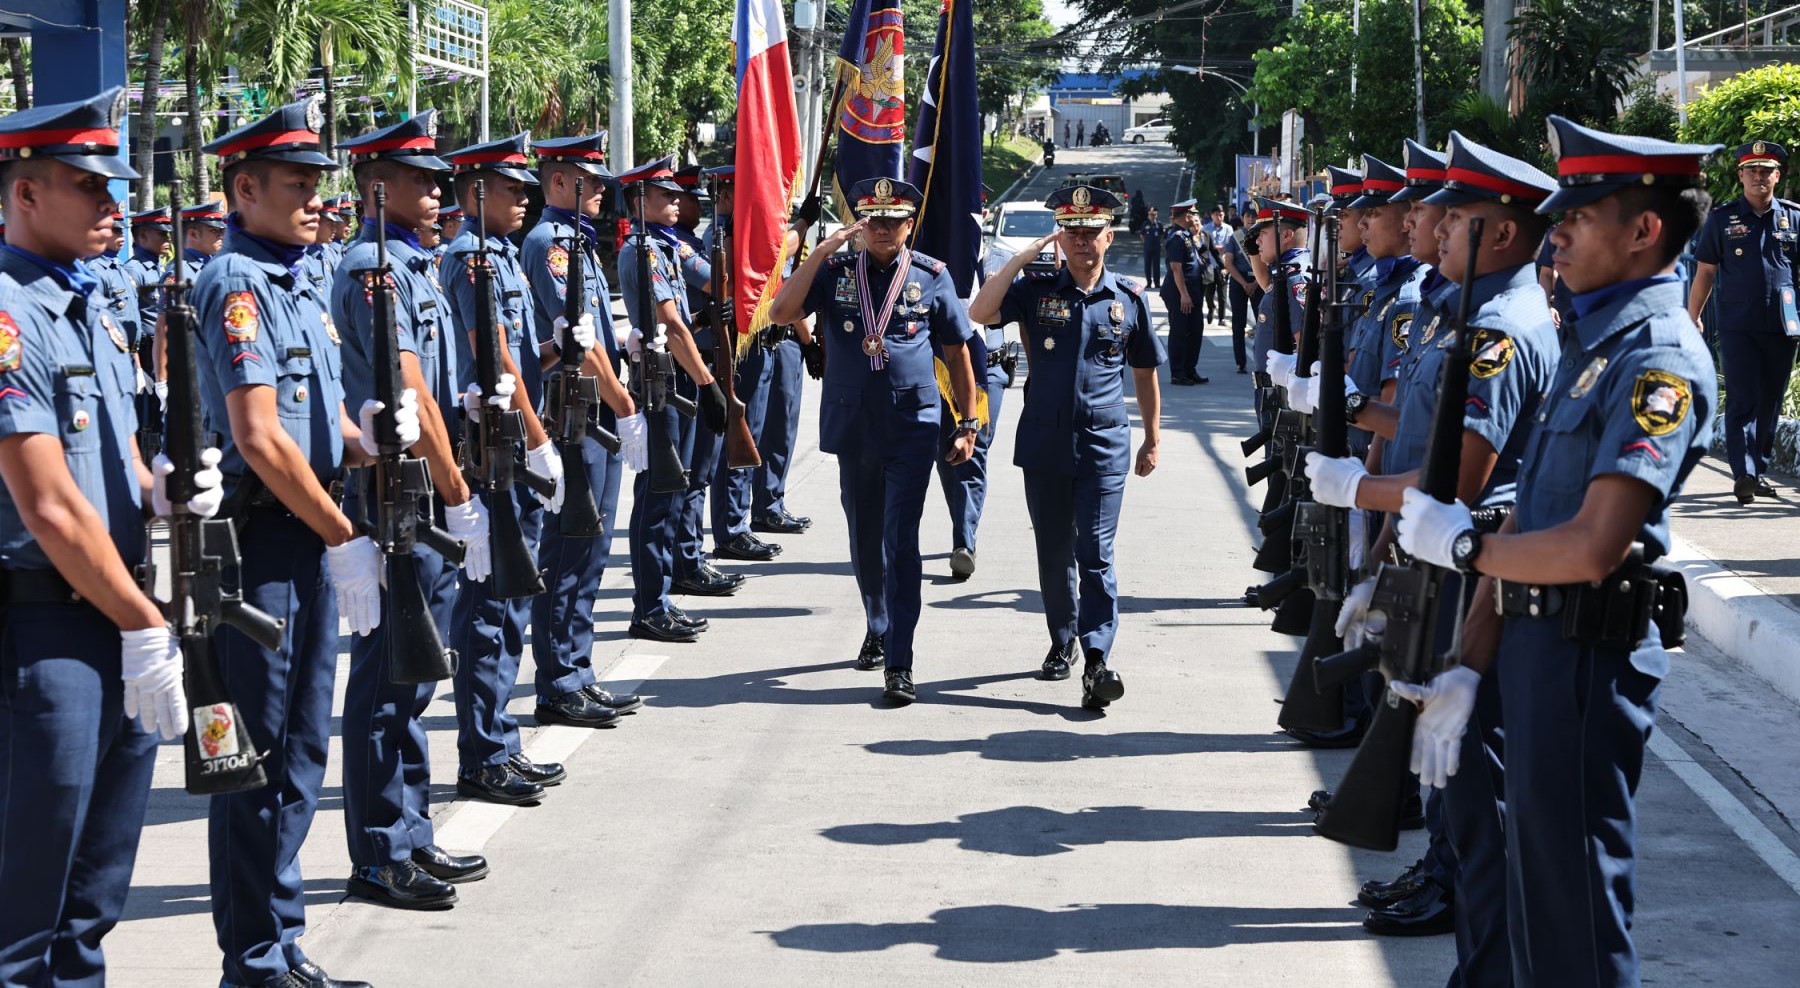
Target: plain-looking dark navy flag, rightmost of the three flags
(948, 150)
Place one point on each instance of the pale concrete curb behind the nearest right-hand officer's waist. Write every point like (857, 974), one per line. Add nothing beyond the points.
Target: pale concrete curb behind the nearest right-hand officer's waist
(1752, 629)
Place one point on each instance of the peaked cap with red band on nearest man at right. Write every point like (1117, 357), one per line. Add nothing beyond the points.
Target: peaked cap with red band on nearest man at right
(1594, 165)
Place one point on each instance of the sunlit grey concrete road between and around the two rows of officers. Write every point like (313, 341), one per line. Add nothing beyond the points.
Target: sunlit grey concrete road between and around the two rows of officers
(768, 822)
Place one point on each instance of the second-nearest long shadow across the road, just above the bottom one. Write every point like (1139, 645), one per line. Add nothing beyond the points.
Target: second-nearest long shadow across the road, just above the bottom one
(1038, 832)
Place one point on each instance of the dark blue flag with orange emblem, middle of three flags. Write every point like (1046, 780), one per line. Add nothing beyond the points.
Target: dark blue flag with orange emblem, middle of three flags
(870, 98)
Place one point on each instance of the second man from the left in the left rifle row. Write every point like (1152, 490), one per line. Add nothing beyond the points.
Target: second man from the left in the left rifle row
(269, 354)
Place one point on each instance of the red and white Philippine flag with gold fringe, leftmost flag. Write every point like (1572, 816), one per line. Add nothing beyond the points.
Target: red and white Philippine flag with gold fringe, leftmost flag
(769, 161)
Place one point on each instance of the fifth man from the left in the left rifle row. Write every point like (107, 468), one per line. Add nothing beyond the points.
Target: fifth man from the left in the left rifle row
(562, 618)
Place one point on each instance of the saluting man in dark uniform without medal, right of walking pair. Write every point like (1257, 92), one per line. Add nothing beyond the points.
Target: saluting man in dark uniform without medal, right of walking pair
(1083, 327)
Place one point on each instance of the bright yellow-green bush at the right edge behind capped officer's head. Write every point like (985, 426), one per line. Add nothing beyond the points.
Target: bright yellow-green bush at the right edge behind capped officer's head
(1758, 105)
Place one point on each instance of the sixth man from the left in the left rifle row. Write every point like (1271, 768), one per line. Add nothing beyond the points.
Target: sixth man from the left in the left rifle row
(656, 526)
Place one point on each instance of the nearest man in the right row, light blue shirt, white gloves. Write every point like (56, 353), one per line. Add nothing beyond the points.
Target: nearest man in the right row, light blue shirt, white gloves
(1619, 431)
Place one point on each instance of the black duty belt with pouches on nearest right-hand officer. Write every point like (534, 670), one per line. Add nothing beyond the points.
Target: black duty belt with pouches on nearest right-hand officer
(1615, 613)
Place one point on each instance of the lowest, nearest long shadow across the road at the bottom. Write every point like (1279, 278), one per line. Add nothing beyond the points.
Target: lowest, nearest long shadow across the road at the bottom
(1016, 933)
